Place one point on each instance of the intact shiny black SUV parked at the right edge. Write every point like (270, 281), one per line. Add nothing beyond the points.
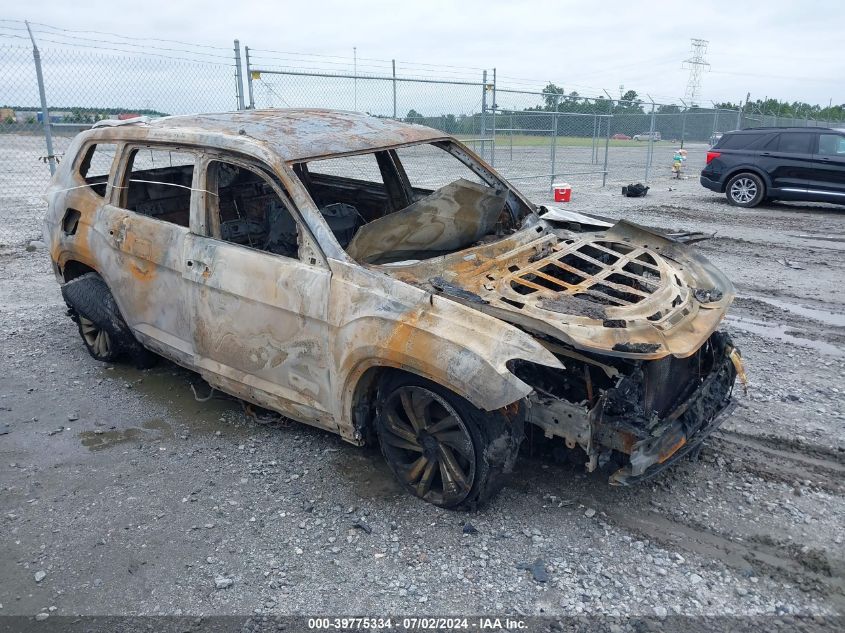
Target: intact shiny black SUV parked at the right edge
(750, 166)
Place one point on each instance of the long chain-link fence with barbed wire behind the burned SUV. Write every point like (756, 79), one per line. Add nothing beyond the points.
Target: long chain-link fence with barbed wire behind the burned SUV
(534, 138)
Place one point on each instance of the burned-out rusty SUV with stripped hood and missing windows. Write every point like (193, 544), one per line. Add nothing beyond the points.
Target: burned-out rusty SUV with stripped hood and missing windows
(379, 280)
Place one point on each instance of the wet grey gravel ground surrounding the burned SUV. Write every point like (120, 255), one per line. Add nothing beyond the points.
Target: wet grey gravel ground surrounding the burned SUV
(121, 494)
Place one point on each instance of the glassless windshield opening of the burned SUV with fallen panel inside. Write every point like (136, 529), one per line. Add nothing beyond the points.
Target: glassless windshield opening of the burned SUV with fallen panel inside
(410, 203)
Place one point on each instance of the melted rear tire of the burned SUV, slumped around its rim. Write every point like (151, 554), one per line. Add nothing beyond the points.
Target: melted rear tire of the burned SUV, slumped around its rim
(88, 296)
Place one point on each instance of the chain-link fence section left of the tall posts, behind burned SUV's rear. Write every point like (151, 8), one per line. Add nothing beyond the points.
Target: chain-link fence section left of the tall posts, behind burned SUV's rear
(85, 80)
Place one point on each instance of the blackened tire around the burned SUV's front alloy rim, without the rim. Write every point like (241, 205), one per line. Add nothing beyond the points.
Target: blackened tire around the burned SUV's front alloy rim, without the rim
(496, 437)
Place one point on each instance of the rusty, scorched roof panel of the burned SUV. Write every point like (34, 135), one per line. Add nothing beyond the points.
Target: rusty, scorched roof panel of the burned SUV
(299, 134)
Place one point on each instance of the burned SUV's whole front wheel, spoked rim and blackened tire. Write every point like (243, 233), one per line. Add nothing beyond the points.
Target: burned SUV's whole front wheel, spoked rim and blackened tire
(440, 447)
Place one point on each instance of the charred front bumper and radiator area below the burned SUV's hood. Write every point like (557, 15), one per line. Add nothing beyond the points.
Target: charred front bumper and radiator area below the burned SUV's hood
(655, 413)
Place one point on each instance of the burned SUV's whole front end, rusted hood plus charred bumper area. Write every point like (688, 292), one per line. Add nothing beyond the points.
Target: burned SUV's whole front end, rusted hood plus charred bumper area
(631, 315)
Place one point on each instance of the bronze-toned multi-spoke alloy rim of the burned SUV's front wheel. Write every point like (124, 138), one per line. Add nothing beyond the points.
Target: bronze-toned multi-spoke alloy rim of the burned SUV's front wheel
(428, 445)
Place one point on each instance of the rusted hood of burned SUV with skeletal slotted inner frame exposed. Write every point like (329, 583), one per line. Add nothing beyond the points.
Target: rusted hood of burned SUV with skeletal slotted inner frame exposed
(624, 290)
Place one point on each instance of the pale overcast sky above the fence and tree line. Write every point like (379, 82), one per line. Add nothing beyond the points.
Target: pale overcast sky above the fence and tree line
(778, 48)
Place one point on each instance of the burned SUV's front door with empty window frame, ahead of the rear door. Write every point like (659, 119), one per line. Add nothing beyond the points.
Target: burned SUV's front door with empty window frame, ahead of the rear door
(241, 351)
